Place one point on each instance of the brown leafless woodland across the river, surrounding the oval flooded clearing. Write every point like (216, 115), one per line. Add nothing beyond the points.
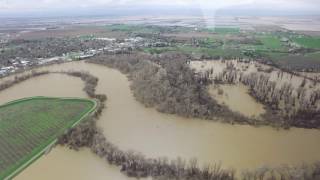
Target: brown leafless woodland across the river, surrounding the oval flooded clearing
(167, 83)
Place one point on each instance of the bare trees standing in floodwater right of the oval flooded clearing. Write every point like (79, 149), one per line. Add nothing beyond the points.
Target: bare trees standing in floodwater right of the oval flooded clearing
(291, 106)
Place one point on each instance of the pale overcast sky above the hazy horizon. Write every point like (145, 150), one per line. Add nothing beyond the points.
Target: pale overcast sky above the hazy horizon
(20, 6)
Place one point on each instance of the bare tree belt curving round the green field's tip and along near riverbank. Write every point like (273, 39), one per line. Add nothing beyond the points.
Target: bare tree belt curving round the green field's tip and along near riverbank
(132, 164)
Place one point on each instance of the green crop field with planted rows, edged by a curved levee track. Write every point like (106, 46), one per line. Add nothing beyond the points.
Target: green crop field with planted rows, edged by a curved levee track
(29, 126)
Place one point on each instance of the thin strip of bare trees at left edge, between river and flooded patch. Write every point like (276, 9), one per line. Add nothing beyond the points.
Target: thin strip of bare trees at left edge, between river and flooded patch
(17, 79)
